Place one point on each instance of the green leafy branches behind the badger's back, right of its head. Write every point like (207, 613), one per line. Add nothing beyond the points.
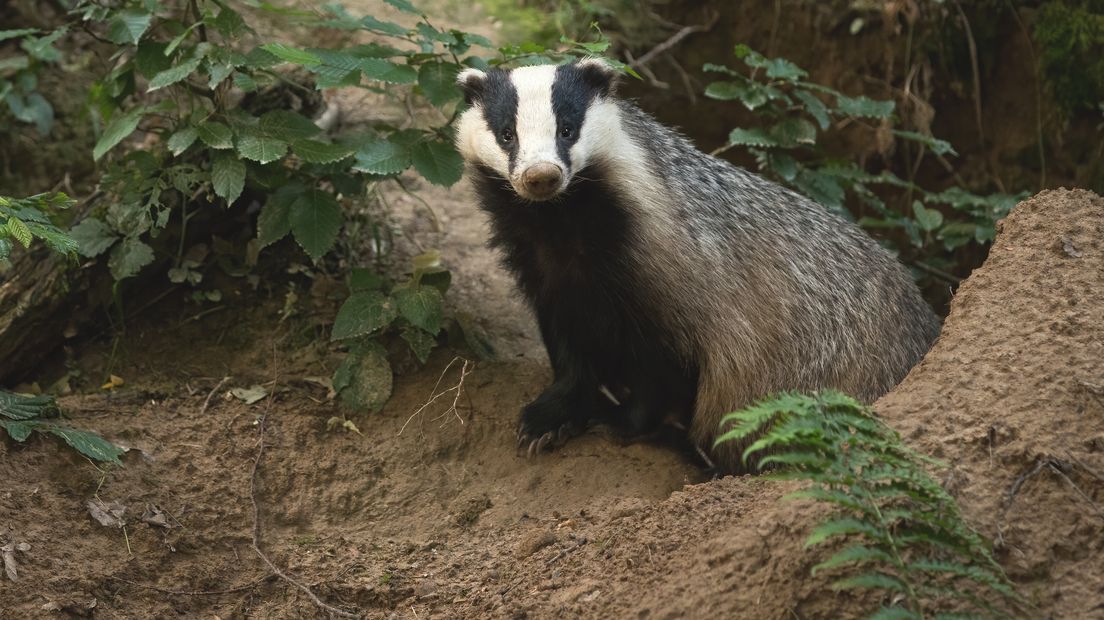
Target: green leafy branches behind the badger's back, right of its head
(794, 113)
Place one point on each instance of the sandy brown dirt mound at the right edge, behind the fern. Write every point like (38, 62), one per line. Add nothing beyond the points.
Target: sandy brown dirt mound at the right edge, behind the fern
(1013, 399)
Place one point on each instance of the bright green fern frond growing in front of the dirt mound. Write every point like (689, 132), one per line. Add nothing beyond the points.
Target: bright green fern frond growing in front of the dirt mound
(896, 531)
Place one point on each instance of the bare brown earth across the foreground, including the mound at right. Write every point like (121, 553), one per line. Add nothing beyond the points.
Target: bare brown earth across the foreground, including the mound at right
(440, 518)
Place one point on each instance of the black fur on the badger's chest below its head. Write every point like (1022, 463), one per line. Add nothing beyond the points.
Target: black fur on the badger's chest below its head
(572, 260)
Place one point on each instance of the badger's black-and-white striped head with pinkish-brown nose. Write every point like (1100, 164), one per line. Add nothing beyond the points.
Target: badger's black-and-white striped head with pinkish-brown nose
(537, 127)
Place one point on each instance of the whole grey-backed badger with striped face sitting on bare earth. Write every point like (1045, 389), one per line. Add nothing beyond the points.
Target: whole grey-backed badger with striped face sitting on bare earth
(667, 282)
